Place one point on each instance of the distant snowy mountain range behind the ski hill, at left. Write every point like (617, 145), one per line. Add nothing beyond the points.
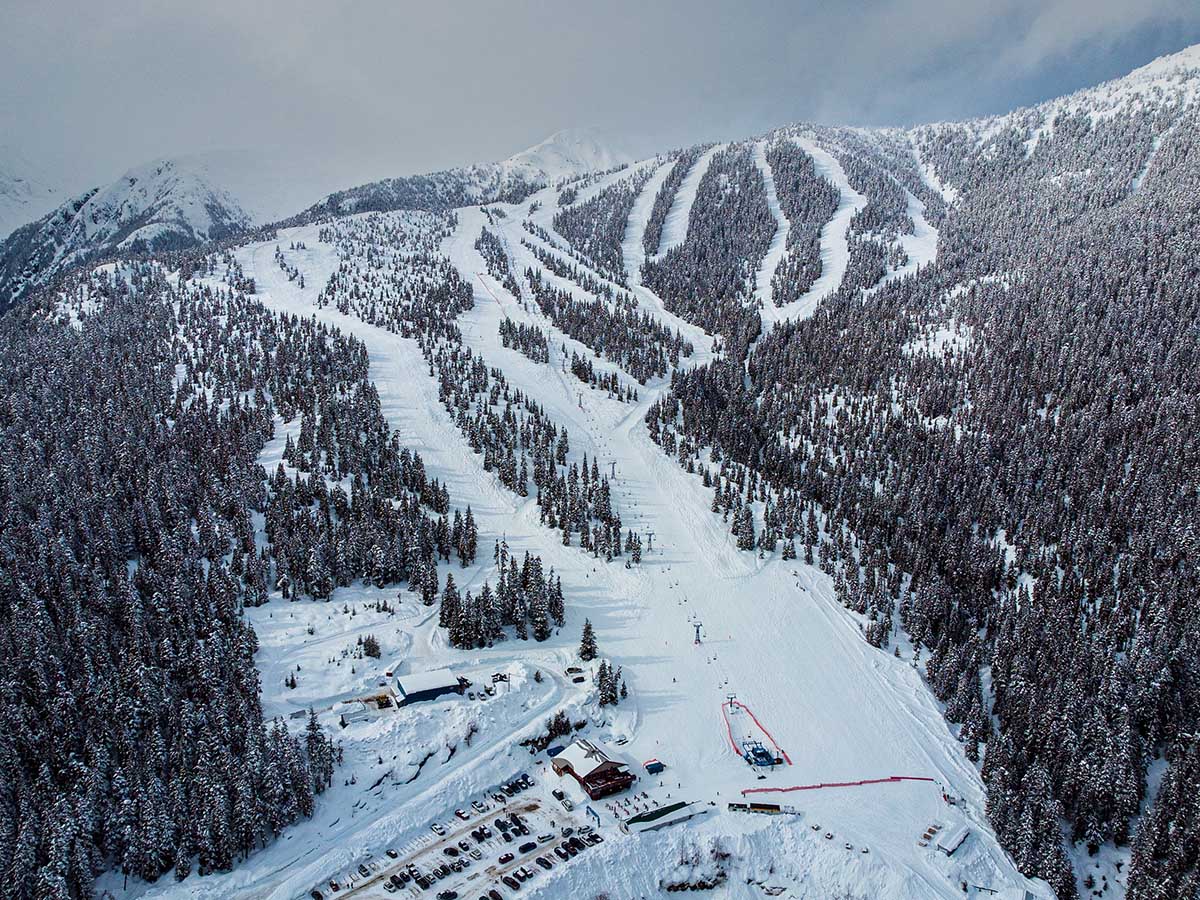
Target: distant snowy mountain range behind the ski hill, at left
(185, 201)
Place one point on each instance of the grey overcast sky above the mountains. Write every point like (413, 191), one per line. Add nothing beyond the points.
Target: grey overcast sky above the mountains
(369, 88)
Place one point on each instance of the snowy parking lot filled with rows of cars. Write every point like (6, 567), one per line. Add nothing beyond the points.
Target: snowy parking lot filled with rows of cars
(490, 848)
